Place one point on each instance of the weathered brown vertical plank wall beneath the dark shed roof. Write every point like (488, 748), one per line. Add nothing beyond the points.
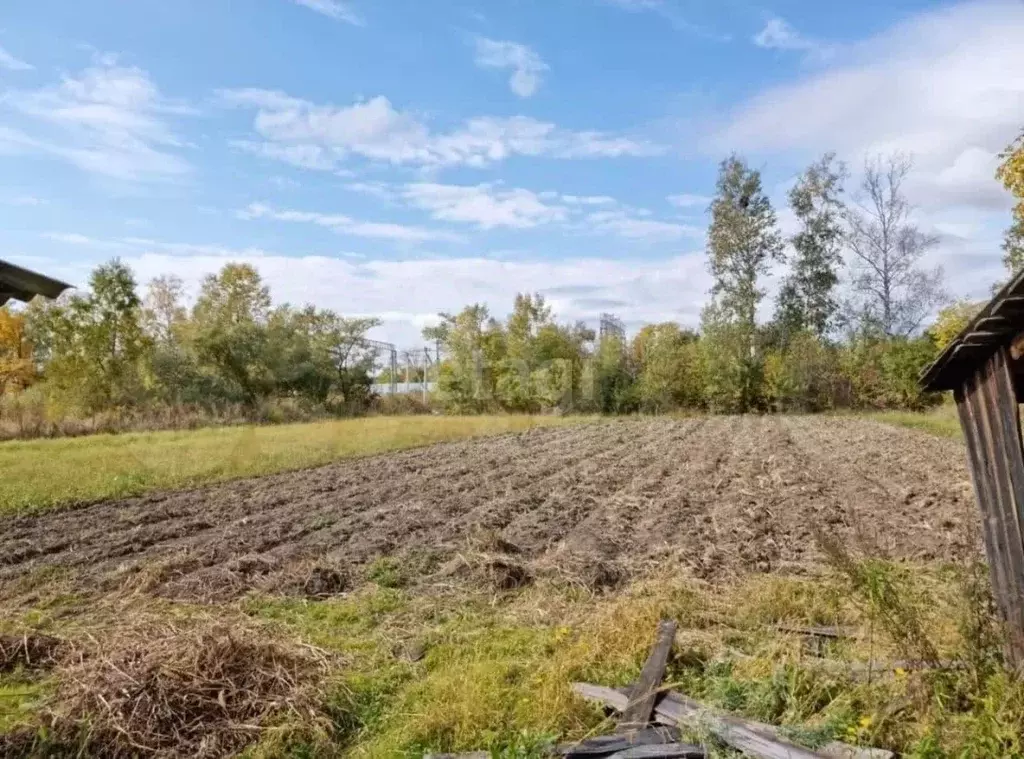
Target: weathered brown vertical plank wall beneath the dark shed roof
(988, 406)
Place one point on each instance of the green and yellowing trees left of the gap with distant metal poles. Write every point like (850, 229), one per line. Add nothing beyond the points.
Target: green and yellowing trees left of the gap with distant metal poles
(110, 348)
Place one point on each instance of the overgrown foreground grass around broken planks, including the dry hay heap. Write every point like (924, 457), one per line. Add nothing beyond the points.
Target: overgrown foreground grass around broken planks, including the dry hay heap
(466, 666)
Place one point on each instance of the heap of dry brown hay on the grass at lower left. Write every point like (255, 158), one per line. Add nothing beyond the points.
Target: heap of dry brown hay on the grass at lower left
(203, 692)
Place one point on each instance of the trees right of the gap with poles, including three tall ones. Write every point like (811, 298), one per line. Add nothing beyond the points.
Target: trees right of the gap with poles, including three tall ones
(848, 327)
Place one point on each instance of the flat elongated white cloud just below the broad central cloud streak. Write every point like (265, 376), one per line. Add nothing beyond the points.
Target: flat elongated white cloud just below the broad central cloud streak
(485, 205)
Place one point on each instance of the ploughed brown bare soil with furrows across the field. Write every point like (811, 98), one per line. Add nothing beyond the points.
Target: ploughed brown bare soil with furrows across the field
(594, 504)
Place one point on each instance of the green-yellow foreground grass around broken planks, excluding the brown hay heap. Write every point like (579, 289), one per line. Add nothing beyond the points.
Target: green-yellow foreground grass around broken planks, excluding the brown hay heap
(497, 677)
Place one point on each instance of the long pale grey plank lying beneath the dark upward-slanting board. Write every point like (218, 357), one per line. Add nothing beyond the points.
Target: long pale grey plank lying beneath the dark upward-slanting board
(675, 709)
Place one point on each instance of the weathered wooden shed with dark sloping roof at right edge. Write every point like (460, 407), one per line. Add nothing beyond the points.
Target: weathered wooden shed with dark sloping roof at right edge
(985, 369)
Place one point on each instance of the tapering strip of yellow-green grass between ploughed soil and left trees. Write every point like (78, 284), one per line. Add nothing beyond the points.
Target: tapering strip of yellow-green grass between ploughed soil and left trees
(45, 474)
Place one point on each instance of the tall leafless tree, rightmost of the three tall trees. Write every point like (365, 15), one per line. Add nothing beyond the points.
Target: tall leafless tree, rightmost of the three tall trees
(893, 293)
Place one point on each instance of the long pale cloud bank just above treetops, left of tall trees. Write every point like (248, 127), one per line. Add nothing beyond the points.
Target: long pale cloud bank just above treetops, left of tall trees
(408, 293)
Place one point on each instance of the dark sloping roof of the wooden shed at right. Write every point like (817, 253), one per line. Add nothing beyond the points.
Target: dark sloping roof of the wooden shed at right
(995, 327)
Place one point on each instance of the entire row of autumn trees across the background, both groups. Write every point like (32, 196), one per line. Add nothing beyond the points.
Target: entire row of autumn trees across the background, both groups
(848, 327)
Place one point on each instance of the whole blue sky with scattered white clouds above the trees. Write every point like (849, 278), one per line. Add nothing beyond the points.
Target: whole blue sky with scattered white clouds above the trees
(404, 157)
